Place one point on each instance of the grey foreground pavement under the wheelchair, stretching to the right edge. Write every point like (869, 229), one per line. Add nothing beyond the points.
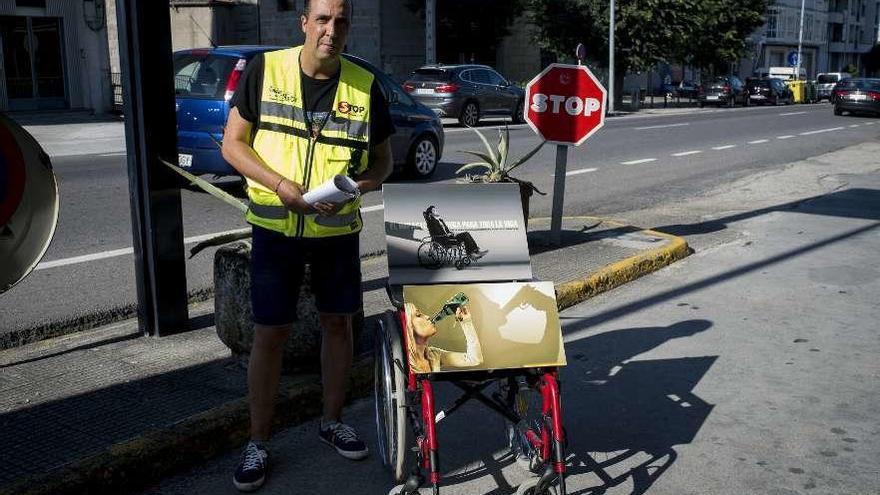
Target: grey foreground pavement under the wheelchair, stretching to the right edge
(749, 367)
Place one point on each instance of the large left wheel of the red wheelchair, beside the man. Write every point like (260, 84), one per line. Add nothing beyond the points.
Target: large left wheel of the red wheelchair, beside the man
(392, 426)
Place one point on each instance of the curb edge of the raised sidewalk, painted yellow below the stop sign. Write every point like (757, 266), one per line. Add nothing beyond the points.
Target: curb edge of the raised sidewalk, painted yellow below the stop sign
(146, 459)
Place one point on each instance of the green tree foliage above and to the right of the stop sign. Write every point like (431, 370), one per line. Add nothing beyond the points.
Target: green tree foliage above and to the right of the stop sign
(697, 32)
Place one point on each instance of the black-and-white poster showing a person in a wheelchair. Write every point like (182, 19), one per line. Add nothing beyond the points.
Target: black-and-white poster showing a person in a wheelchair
(455, 233)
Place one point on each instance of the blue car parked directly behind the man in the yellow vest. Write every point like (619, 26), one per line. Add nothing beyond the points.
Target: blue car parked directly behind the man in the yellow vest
(206, 78)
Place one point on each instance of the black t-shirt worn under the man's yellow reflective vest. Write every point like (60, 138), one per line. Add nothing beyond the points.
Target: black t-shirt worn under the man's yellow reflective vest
(318, 97)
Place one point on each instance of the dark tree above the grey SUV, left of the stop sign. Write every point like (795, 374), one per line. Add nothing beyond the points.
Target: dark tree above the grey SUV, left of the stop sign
(468, 30)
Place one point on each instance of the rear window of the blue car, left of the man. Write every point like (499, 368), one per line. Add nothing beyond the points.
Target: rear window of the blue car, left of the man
(202, 76)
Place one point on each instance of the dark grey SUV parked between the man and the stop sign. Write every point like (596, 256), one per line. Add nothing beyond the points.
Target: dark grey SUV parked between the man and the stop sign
(466, 92)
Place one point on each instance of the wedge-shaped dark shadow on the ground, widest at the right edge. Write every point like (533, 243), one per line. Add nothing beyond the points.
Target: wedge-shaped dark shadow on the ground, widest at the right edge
(849, 203)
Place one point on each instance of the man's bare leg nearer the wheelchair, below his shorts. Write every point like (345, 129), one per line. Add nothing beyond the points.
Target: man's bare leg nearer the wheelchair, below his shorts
(336, 357)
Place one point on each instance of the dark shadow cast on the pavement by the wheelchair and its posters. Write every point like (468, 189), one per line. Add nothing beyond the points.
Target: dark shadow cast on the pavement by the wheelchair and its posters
(623, 417)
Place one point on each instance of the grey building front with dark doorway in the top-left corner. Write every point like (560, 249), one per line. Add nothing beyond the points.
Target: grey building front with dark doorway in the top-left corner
(54, 55)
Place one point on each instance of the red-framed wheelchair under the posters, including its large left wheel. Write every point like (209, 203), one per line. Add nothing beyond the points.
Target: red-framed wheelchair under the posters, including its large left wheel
(406, 408)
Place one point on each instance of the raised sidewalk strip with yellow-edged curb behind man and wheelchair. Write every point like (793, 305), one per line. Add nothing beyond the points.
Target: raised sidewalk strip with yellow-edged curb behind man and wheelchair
(106, 408)
